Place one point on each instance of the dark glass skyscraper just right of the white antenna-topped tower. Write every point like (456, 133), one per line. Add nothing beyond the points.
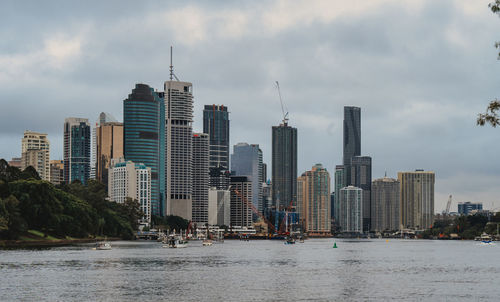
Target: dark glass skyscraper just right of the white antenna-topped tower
(216, 125)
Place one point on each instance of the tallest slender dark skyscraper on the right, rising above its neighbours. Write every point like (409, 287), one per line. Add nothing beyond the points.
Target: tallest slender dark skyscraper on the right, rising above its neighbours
(352, 138)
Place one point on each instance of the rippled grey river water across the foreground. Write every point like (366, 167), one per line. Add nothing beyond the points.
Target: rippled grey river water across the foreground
(256, 271)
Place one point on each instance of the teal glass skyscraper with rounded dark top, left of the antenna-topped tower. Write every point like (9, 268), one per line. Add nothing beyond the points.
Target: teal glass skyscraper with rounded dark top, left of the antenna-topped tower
(144, 138)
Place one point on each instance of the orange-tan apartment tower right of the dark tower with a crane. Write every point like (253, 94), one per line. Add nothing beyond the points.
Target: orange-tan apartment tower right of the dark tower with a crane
(313, 202)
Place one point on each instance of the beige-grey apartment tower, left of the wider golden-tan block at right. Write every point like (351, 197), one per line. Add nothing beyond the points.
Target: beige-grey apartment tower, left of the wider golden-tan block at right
(385, 205)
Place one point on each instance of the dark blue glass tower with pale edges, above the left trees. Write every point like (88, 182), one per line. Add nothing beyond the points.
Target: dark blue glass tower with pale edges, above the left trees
(76, 150)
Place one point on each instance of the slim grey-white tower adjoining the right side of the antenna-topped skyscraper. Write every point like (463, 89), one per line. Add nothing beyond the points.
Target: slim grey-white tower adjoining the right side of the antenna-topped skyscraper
(200, 178)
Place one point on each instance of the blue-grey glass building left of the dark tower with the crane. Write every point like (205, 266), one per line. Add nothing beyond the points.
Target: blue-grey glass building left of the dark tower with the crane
(246, 160)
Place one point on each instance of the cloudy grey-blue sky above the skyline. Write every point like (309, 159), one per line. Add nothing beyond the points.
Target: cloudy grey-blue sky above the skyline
(420, 70)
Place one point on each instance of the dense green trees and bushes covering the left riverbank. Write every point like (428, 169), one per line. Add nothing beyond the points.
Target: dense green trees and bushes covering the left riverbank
(34, 212)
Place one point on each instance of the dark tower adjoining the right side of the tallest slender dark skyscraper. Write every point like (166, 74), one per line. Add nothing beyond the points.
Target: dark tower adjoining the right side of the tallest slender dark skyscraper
(361, 177)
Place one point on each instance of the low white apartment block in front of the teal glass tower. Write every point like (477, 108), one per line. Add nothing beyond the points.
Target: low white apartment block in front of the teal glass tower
(132, 180)
